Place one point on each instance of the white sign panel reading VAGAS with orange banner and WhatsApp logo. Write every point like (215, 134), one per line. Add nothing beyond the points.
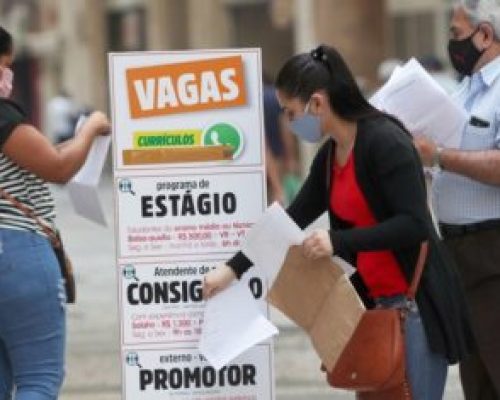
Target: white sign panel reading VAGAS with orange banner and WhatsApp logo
(190, 109)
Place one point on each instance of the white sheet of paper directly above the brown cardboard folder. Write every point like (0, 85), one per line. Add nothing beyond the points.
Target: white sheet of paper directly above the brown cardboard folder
(267, 243)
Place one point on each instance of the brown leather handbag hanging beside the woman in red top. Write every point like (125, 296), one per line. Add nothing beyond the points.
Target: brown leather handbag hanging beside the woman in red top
(373, 361)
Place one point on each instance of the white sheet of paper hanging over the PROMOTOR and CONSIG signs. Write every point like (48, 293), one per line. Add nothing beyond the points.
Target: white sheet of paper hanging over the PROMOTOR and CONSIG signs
(232, 324)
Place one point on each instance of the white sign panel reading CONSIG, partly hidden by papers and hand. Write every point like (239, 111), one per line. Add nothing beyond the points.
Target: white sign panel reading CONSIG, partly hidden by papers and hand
(162, 302)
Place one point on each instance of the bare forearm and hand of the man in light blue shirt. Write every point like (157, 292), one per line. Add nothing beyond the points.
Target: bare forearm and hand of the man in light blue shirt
(481, 165)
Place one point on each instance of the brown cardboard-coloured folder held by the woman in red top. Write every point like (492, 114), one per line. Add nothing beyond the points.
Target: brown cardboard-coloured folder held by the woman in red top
(318, 297)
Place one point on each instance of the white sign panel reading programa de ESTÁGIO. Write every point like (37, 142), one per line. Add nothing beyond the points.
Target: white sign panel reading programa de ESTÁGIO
(187, 215)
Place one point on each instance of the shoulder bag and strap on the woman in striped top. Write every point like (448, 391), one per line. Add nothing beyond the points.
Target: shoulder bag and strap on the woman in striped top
(63, 260)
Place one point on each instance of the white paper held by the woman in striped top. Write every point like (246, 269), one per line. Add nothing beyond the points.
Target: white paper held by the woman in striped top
(83, 187)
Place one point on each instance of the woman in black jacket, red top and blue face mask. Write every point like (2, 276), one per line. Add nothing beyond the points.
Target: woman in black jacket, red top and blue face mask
(369, 178)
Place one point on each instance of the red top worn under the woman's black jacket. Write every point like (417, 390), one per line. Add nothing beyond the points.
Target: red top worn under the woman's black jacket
(379, 269)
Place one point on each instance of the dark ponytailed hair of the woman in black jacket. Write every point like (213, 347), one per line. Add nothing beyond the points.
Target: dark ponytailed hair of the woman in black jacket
(325, 69)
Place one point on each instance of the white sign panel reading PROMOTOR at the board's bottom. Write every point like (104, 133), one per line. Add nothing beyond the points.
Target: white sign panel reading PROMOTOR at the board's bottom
(184, 374)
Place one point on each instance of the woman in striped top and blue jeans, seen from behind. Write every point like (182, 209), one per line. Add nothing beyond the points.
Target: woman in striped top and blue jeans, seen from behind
(32, 298)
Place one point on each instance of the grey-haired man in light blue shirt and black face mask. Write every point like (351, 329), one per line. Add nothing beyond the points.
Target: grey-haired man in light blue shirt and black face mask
(466, 188)
